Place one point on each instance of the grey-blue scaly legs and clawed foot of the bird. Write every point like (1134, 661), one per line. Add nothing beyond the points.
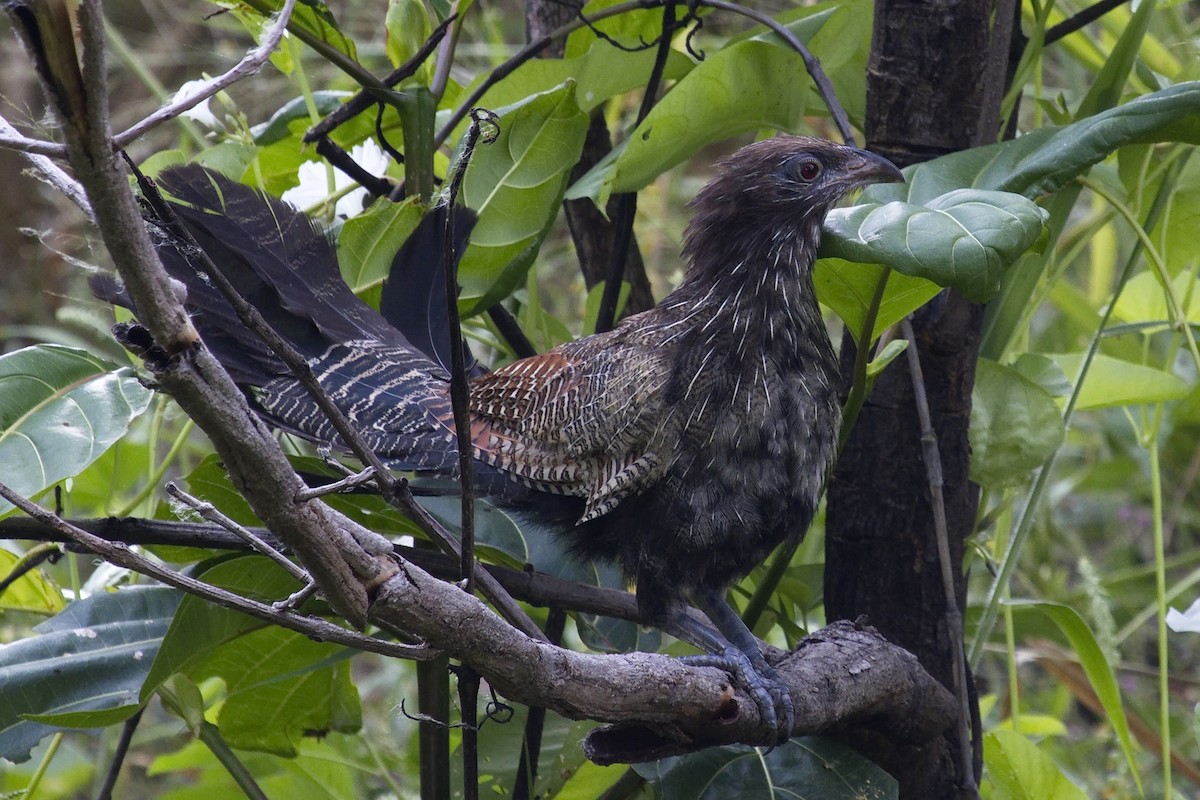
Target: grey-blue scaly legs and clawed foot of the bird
(735, 649)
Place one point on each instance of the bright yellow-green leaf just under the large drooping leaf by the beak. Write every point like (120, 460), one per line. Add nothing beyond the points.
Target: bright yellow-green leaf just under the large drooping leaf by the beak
(849, 288)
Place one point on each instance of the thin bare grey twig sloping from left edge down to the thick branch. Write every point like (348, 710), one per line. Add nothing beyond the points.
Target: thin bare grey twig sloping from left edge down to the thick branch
(122, 556)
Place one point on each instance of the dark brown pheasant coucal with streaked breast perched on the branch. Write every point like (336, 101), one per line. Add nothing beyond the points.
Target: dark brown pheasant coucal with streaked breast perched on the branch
(686, 444)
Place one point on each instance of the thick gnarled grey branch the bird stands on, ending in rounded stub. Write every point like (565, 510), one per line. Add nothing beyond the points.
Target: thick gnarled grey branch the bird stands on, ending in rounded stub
(841, 678)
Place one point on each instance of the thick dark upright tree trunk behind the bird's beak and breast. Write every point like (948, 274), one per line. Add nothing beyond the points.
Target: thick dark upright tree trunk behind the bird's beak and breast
(937, 76)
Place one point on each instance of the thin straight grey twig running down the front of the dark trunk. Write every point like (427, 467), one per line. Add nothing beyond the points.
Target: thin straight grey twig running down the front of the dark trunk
(933, 459)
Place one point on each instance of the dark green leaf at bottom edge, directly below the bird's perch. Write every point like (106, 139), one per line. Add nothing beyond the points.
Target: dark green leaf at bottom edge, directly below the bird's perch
(807, 767)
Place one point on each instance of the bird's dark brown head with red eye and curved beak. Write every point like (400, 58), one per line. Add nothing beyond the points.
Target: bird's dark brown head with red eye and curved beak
(779, 191)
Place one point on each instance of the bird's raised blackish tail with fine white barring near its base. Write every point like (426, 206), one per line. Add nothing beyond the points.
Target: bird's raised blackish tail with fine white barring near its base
(393, 388)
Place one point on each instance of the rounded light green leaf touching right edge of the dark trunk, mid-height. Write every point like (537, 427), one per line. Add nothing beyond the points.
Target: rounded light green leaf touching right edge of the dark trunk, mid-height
(1016, 426)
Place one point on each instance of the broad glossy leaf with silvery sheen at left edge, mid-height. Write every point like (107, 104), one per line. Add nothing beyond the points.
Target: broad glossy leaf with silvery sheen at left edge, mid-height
(61, 410)
